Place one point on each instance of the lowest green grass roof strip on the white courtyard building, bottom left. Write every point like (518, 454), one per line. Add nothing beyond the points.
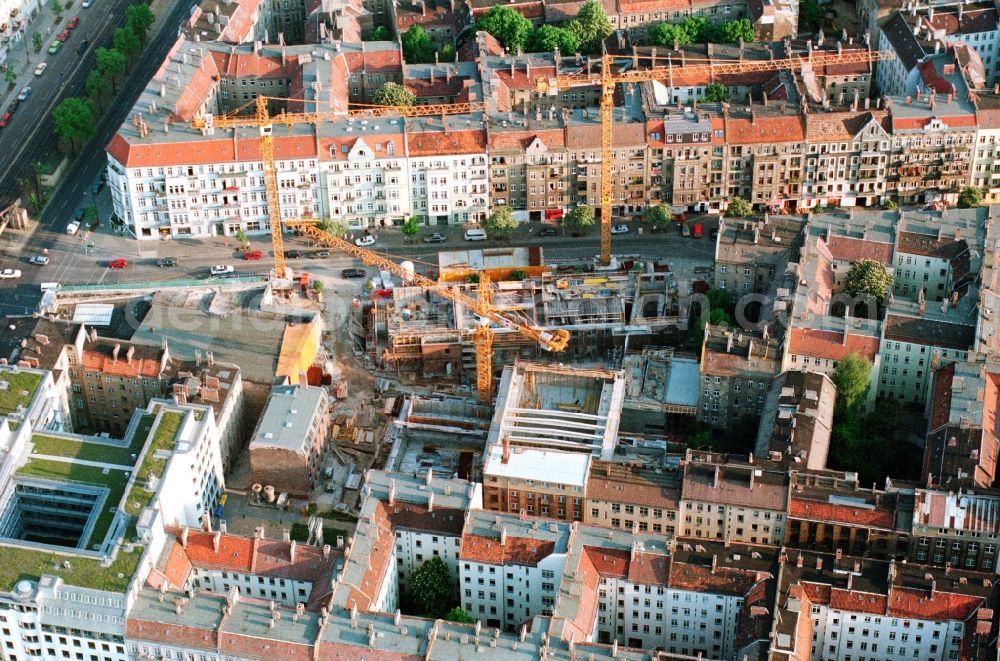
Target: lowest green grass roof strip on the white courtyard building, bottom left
(19, 563)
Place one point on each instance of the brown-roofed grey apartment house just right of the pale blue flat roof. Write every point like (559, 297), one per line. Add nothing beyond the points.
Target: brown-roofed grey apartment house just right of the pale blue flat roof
(737, 369)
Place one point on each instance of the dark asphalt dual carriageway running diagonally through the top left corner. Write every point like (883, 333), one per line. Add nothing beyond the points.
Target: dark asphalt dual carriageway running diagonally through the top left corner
(30, 133)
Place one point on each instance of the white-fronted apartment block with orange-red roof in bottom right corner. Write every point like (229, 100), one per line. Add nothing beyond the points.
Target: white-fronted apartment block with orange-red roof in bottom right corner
(839, 606)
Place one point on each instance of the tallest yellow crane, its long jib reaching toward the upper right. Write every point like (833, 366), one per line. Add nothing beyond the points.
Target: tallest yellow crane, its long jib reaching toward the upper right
(607, 79)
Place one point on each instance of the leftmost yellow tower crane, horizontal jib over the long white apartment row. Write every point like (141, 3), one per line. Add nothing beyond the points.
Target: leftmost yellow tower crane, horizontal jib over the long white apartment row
(263, 120)
